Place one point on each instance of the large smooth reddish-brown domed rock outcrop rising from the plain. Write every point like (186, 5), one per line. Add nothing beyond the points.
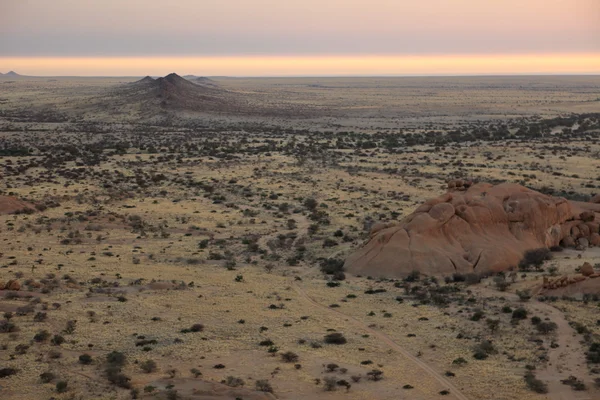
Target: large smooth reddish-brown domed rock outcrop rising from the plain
(472, 228)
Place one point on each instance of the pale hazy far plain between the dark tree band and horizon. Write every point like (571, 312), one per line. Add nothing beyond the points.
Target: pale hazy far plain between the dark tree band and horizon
(383, 101)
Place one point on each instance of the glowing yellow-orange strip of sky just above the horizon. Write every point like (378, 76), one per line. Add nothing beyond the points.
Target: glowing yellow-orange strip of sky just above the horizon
(306, 65)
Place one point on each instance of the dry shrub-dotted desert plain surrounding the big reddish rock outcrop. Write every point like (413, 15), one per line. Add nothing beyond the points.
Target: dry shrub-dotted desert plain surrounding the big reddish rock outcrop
(184, 238)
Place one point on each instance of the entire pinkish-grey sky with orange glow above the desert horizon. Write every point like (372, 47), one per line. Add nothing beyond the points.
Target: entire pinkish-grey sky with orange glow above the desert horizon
(299, 37)
